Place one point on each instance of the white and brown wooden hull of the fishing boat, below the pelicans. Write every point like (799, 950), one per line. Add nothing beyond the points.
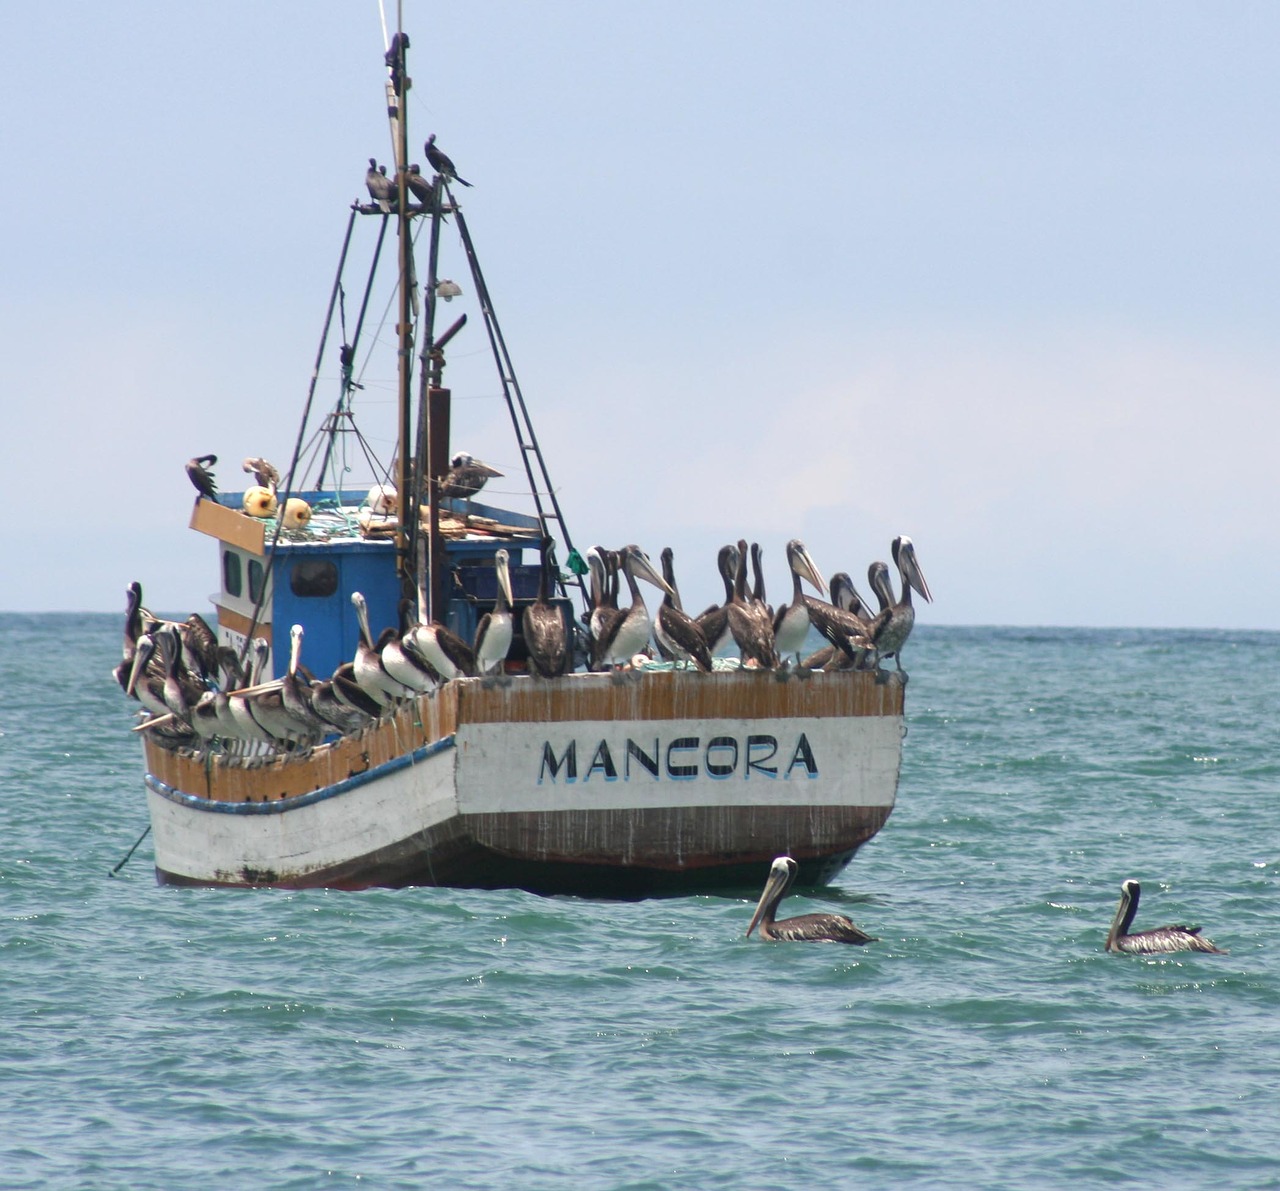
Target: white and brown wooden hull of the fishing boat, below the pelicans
(615, 786)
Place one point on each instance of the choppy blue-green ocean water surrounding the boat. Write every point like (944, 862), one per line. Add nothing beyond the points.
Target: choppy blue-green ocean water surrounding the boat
(166, 1038)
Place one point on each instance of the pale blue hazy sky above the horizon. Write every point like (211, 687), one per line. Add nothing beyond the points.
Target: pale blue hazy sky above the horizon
(1002, 277)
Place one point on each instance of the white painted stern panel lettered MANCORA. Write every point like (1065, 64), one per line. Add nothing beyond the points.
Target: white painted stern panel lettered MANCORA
(606, 765)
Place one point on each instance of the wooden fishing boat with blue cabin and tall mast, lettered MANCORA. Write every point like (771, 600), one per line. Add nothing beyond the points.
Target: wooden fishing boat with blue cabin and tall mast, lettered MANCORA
(634, 782)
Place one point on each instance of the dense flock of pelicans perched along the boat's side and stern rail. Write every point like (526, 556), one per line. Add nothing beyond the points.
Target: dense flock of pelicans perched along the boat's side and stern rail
(200, 695)
